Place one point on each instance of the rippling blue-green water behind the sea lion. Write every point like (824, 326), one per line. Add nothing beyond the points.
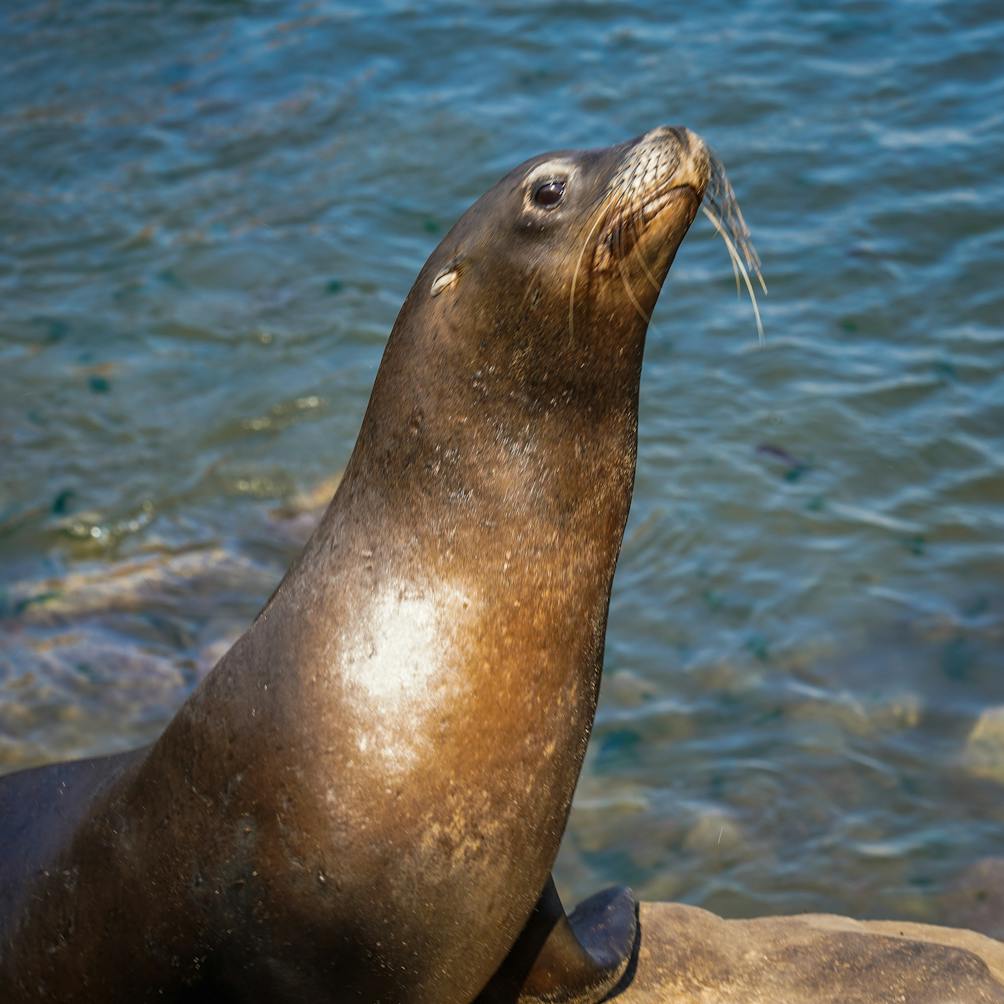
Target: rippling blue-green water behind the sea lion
(210, 214)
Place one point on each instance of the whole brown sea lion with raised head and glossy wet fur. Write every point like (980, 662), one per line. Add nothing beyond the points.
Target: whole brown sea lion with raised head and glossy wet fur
(364, 801)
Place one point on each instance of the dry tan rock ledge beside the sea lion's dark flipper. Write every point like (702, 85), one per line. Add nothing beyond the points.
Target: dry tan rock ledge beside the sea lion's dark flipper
(690, 956)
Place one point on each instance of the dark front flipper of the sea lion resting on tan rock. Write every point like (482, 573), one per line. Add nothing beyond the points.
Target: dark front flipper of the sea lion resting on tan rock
(569, 960)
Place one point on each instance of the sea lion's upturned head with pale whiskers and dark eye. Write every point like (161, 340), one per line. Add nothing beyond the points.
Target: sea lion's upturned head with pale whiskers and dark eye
(548, 283)
